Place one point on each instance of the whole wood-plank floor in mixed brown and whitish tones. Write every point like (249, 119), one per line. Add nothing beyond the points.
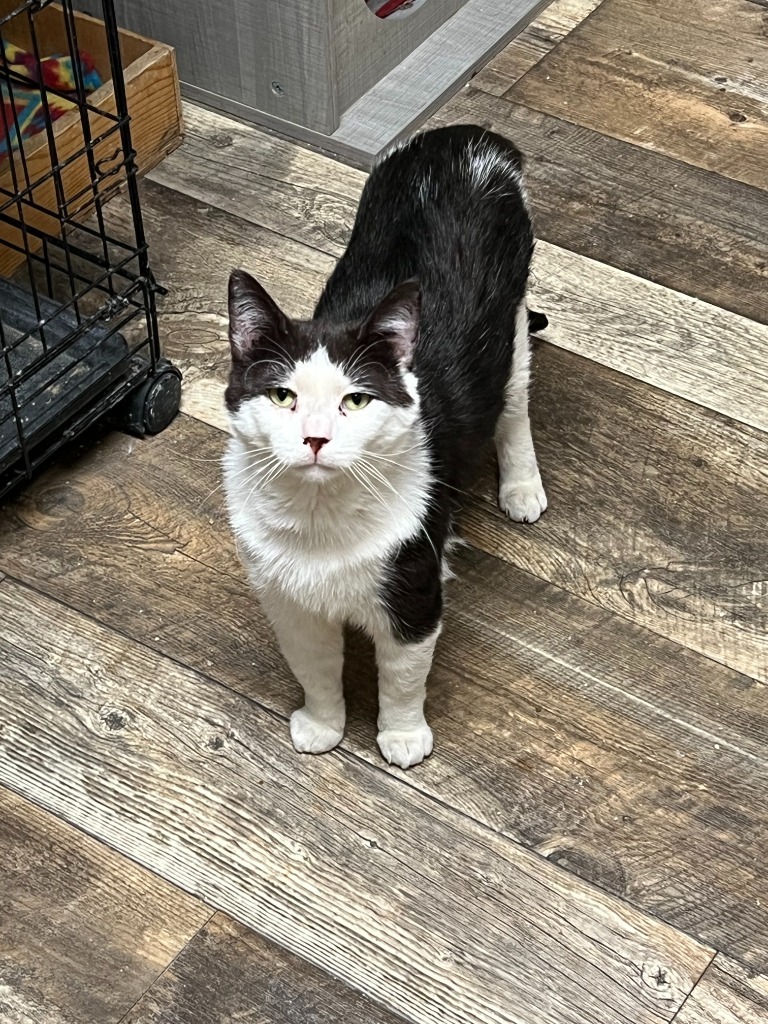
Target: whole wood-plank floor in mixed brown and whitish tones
(588, 843)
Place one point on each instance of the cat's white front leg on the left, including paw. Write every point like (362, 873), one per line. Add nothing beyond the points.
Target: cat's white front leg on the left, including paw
(314, 649)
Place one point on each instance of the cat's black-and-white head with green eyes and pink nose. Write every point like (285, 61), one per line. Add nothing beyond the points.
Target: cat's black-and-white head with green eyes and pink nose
(322, 397)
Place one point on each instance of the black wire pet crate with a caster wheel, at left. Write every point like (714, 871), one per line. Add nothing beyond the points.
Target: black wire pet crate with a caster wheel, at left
(78, 324)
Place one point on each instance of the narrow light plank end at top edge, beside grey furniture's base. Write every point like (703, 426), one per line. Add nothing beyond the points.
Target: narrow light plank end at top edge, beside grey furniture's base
(538, 39)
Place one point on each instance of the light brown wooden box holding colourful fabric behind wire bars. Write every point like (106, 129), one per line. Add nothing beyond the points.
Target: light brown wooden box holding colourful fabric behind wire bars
(154, 104)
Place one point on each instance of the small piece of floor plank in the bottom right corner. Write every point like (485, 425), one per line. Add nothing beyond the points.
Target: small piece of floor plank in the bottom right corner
(728, 995)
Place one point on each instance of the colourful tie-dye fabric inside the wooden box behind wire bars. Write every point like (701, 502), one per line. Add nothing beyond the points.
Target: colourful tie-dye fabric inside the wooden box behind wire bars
(23, 108)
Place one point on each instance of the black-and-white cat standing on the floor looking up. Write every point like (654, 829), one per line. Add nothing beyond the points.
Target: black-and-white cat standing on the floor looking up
(357, 435)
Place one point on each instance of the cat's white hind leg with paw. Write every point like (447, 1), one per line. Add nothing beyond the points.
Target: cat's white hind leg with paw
(521, 491)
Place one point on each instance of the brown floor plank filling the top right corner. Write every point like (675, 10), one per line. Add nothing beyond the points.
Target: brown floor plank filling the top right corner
(687, 78)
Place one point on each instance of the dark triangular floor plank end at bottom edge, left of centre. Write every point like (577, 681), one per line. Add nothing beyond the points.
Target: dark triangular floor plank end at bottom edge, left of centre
(229, 973)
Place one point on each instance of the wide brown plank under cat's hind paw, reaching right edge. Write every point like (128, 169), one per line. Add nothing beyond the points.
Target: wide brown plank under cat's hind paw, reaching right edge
(657, 510)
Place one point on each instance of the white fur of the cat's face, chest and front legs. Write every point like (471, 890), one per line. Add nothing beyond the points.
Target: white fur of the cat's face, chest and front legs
(317, 541)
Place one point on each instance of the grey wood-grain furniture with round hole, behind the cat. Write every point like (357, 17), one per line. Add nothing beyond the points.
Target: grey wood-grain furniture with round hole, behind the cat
(328, 72)
